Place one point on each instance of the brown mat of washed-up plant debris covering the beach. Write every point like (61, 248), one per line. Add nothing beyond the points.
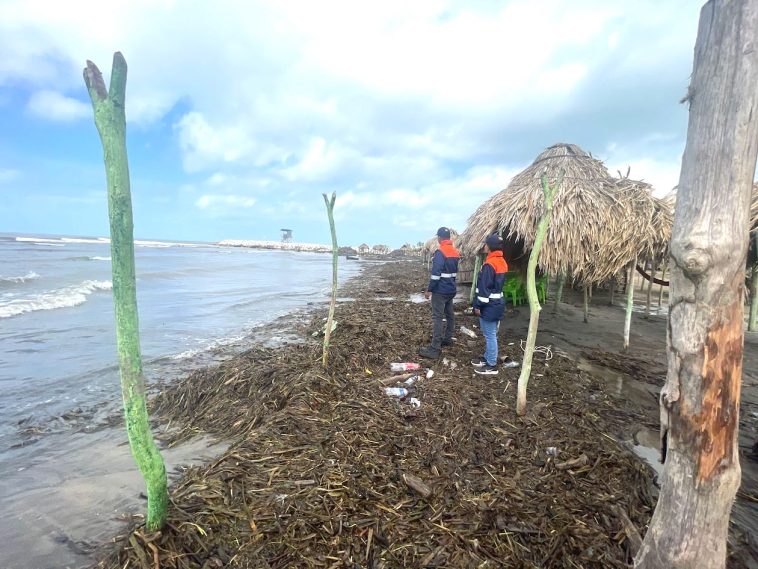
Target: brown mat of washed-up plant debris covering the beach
(326, 470)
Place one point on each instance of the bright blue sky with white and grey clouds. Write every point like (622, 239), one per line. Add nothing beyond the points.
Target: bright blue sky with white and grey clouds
(240, 114)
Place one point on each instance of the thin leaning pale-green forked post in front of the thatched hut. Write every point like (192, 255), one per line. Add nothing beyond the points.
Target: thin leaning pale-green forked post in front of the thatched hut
(531, 291)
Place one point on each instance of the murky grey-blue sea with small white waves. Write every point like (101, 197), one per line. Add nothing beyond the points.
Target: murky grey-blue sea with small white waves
(197, 304)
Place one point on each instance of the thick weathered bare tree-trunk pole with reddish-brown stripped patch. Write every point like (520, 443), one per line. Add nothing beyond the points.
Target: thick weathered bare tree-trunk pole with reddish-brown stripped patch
(700, 402)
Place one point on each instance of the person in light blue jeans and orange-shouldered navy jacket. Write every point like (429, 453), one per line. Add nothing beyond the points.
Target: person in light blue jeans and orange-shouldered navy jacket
(489, 304)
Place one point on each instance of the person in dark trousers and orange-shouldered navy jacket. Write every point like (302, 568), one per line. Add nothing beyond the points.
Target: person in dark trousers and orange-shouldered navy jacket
(442, 291)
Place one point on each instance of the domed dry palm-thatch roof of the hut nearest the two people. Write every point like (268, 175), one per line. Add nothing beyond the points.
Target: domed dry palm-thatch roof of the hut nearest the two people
(598, 224)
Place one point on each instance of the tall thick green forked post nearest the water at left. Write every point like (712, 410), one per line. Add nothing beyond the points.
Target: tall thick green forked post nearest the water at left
(110, 120)
